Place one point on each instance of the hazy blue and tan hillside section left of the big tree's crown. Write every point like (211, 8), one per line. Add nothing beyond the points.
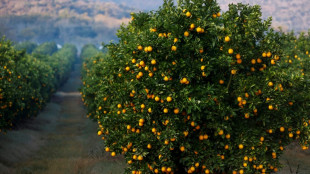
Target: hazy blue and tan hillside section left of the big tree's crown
(63, 21)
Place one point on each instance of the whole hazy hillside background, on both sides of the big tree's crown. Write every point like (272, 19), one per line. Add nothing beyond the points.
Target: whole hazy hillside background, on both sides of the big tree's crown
(93, 21)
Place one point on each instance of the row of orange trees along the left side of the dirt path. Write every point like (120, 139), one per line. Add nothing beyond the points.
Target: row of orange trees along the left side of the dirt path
(28, 80)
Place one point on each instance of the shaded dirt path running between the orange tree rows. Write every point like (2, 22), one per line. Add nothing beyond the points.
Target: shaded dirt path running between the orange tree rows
(61, 140)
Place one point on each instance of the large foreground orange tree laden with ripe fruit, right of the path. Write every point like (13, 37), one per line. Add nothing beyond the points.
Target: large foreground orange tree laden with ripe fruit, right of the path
(188, 90)
